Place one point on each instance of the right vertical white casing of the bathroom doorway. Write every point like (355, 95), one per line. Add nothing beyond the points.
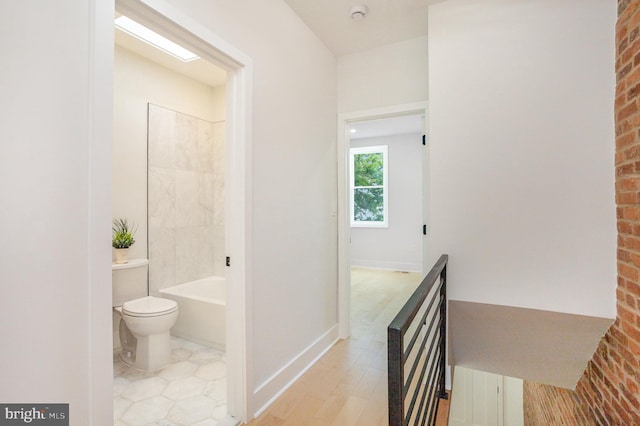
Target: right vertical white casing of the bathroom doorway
(239, 317)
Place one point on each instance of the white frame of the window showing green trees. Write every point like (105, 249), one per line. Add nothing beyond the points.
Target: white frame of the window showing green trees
(379, 149)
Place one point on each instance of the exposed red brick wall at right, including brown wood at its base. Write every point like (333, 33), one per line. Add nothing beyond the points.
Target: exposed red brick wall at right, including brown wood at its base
(608, 392)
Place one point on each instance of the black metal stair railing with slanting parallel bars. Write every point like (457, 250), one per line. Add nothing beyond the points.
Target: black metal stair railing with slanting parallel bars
(431, 352)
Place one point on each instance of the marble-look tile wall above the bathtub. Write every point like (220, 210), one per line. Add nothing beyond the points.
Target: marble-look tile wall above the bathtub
(186, 198)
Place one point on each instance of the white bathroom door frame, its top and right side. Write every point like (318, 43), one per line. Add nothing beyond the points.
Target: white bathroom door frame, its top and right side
(172, 23)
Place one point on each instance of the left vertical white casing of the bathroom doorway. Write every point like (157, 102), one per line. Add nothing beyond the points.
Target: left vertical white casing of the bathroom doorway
(100, 140)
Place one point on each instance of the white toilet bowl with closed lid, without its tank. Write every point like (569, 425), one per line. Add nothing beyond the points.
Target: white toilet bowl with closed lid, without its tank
(144, 332)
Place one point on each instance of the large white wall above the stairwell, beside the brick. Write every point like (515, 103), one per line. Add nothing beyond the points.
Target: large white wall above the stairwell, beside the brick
(522, 137)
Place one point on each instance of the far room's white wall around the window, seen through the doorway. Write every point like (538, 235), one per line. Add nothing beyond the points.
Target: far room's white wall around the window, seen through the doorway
(398, 247)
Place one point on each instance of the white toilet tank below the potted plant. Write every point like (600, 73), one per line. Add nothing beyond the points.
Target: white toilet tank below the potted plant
(129, 281)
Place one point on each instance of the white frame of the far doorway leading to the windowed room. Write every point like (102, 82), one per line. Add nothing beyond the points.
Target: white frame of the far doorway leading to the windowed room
(344, 227)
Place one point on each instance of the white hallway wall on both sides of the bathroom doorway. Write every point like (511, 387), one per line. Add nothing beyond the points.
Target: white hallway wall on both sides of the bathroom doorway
(56, 210)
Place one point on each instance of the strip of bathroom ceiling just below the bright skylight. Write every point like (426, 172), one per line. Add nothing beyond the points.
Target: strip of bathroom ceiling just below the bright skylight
(199, 69)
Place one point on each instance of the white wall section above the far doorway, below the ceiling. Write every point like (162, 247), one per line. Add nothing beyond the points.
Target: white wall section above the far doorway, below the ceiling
(393, 74)
